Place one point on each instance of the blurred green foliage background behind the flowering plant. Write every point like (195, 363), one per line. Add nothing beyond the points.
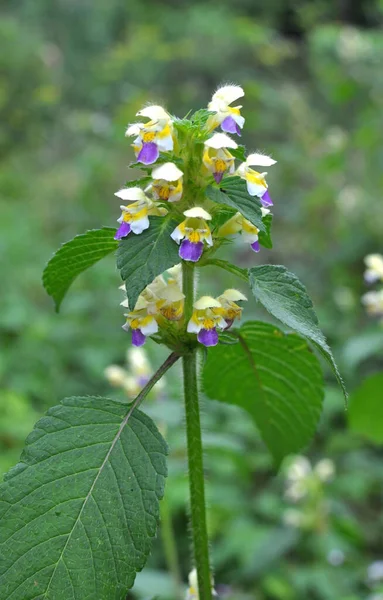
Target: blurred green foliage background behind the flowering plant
(73, 74)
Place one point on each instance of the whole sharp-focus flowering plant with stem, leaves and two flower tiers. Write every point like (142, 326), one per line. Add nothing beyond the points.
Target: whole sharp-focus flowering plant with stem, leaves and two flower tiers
(83, 504)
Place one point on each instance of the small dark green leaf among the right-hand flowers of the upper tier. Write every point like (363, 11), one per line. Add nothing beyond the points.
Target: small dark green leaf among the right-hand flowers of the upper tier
(233, 192)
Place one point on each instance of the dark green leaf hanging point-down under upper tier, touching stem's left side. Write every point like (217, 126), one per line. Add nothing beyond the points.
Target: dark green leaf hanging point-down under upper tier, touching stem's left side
(141, 258)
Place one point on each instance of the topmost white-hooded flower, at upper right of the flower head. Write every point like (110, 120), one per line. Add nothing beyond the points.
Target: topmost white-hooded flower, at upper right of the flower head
(228, 117)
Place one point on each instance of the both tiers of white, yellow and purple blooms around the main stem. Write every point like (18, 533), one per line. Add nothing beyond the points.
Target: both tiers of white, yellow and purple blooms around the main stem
(182, 158)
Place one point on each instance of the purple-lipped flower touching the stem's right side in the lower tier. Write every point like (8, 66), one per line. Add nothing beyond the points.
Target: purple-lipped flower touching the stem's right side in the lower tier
(206, 318)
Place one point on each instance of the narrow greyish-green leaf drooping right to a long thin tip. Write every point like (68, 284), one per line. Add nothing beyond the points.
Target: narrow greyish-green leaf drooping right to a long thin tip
(286, 298)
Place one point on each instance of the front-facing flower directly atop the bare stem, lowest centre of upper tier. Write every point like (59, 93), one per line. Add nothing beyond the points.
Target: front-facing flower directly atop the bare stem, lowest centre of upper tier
(192, 233)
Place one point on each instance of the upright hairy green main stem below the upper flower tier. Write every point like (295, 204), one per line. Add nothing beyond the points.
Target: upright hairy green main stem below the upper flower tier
(195, 454)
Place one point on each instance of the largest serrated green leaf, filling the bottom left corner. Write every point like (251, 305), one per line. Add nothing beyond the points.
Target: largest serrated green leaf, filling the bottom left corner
(79, 511)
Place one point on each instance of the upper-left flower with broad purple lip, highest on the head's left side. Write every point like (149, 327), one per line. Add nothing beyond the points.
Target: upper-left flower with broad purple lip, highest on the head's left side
(152, 137)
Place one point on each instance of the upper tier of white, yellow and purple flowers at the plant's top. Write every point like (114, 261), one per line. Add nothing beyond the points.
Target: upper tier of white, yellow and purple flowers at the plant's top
(157, 136)
